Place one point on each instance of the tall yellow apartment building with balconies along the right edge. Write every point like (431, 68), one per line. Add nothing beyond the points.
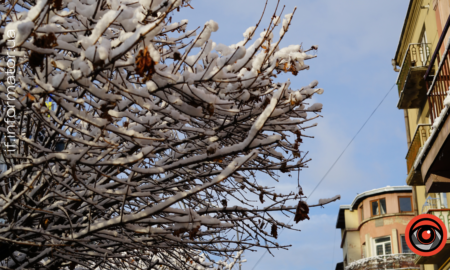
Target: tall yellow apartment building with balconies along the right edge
(423, 82)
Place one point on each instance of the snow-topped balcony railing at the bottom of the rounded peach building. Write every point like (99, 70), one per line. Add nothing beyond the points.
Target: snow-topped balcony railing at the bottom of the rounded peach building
(393, 261)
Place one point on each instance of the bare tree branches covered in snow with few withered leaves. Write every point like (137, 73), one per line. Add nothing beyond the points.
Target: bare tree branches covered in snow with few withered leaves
(132, 142)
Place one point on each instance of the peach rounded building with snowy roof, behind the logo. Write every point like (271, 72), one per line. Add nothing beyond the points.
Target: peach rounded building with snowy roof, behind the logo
(373, 227)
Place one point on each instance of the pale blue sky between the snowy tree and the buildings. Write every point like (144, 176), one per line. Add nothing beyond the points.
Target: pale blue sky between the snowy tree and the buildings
(357, 40)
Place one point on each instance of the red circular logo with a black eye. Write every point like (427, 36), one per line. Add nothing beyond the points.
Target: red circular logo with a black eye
(426, 235)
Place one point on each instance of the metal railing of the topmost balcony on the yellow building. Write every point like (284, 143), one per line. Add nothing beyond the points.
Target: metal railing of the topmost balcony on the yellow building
(417, 55)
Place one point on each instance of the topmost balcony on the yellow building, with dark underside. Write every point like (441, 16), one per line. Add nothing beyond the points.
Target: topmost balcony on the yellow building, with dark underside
(412, 87)
